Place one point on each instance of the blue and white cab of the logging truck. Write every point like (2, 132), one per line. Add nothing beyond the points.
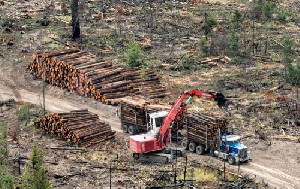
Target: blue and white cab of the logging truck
(232, 149)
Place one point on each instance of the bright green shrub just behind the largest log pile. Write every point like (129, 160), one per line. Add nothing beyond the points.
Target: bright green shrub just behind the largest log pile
(134, 55)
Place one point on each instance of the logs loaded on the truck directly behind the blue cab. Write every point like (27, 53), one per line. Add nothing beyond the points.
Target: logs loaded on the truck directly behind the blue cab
(199, 124)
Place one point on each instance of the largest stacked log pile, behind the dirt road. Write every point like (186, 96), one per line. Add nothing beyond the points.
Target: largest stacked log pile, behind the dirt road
(89, 76)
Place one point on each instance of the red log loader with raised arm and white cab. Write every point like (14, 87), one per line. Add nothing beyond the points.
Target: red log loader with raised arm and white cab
(152, 146)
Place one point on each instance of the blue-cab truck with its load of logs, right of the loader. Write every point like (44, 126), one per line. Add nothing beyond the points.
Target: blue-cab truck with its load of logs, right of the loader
(205, 133)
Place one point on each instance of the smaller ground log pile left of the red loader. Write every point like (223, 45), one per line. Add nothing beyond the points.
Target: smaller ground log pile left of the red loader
(79, 127)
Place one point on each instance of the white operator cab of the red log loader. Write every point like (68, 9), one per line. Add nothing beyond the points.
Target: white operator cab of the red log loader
(155, 121)
